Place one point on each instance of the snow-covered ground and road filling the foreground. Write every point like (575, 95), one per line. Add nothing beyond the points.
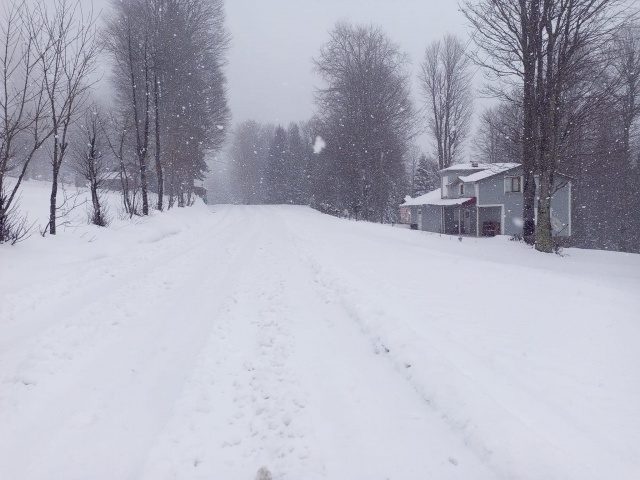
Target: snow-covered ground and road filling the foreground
(205, 343)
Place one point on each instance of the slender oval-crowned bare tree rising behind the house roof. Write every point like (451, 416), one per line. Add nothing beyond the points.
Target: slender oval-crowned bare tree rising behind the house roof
(445, 77)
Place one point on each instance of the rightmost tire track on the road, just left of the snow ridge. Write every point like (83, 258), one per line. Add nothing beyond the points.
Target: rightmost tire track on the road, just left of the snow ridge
(344, 313)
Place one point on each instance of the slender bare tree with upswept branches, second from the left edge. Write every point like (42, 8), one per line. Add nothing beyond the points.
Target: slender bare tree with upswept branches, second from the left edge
(67, 50)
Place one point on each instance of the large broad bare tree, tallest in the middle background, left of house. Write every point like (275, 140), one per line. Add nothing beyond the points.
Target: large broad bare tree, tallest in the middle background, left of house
(366, 119)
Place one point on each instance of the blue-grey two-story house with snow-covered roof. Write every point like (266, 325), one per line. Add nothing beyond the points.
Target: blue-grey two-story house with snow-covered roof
(480, 199)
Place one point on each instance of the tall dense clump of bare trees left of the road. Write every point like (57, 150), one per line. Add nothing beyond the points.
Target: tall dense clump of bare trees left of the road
(169, 57)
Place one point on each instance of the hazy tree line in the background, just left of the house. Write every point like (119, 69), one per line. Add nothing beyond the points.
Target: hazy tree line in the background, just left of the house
(354, 155)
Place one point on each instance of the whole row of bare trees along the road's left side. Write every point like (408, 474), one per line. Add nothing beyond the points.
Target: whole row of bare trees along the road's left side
(168, 110)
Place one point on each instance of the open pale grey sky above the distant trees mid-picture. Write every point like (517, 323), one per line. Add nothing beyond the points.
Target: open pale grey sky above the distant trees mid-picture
(270, 70)
